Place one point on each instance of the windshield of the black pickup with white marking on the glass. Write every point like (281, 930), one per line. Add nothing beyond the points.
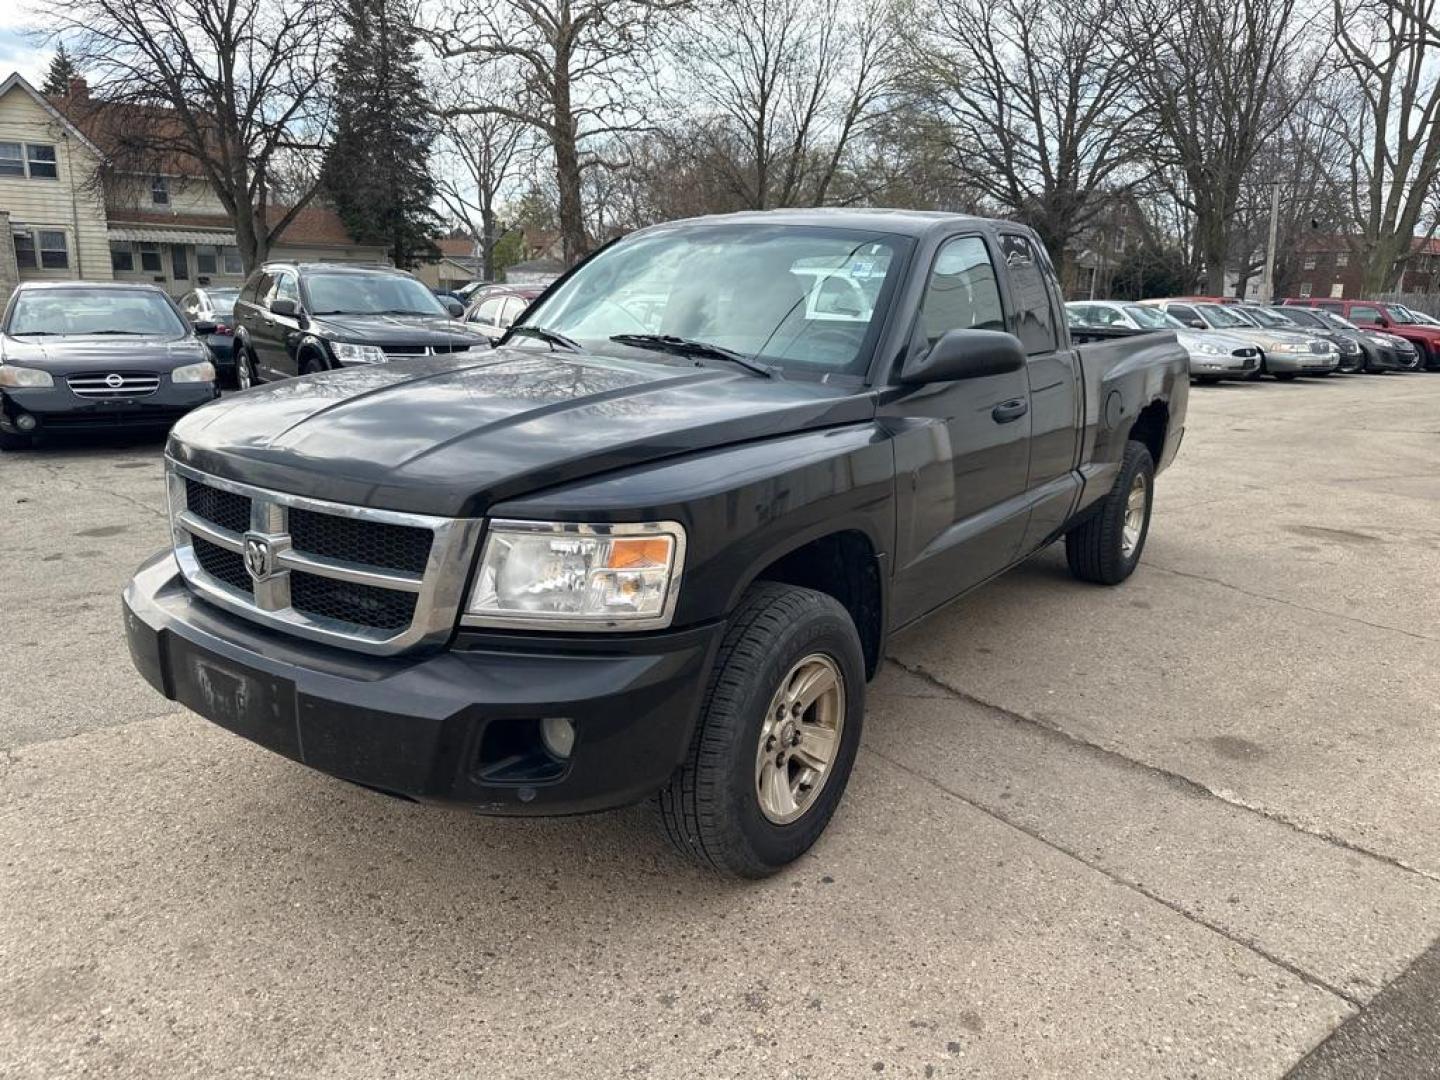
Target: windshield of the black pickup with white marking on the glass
(794, 297)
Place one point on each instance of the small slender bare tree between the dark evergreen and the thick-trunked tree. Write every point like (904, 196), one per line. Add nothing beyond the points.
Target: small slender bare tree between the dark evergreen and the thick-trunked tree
(479, 159)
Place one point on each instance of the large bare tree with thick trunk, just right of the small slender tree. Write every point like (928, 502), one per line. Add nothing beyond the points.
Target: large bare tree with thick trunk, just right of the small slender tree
(578, 66)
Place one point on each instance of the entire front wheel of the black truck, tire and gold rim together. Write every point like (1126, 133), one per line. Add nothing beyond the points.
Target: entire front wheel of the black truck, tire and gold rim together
(777, 738)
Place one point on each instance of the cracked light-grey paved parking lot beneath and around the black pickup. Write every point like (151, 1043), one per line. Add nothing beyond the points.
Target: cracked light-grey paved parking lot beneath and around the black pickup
(1184, 829)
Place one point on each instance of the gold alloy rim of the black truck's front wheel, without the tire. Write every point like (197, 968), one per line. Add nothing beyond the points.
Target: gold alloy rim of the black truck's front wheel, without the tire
(800, 738)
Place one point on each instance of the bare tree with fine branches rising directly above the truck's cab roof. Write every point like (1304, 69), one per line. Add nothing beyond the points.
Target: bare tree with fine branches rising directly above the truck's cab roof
(784, 90)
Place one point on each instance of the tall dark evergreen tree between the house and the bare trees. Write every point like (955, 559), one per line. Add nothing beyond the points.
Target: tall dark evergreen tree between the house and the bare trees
(377, 169)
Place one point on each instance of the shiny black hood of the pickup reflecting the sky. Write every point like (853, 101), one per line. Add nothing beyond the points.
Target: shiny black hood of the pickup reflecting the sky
(454, 434)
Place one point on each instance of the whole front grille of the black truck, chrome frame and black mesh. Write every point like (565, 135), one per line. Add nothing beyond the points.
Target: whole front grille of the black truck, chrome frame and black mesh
(377, 581)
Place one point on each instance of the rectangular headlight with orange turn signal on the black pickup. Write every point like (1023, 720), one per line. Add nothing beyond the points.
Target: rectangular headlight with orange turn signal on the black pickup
(571, 577)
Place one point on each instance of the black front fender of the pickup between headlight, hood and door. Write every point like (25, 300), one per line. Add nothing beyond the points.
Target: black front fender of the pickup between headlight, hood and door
(744, 508)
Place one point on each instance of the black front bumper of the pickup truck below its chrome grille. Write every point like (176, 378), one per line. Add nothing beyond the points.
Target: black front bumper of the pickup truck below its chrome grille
(441, 726)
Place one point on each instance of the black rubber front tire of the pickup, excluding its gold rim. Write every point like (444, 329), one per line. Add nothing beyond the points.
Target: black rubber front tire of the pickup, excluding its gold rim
(712, 806)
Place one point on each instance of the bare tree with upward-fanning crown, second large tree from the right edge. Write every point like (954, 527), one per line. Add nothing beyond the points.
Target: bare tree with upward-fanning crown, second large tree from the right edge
(1220, 78)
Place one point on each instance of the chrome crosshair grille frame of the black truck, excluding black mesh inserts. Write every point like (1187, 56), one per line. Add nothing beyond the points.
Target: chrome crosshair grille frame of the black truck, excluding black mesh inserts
(438, 591)
